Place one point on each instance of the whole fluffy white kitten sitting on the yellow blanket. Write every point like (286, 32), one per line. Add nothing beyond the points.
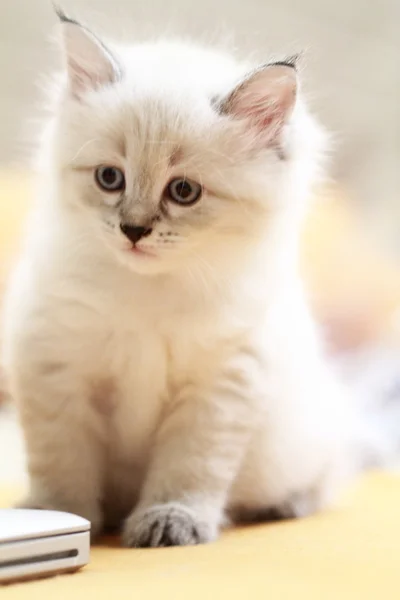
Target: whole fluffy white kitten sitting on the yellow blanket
(167, 370)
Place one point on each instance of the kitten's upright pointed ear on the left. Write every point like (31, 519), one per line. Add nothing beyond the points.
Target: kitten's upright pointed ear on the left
(90, 65)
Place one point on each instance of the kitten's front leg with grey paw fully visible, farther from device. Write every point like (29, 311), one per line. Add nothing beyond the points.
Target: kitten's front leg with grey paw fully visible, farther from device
(197, 454)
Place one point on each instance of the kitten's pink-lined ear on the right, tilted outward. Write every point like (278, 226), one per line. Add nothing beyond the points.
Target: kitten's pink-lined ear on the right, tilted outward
(266, 98)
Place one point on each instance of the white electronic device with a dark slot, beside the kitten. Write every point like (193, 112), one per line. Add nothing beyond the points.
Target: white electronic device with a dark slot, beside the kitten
(39, 543)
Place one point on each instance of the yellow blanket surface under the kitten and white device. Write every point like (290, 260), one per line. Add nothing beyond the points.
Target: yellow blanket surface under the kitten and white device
(349, 553)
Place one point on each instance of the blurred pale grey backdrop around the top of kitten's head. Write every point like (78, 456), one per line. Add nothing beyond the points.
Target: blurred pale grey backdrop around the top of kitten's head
(352, 67)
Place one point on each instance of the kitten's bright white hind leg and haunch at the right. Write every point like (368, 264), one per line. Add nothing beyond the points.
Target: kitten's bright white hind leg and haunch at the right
(303, 453)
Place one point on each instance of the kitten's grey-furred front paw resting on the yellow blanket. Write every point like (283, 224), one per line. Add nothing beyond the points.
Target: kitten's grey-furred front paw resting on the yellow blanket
(171, 524)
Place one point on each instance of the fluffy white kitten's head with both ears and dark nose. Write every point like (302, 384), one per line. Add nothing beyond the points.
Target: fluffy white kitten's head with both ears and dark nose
(170, 152)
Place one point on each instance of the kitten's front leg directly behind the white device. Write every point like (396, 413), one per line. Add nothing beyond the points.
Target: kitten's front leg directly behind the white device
(63, 445)
